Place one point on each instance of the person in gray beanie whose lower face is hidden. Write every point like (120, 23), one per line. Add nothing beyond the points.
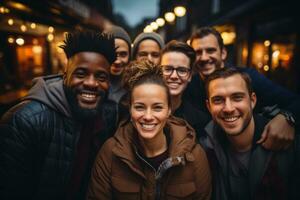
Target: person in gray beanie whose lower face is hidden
(148, 46)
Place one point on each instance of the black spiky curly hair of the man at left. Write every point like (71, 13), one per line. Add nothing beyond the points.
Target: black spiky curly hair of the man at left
(90, 41)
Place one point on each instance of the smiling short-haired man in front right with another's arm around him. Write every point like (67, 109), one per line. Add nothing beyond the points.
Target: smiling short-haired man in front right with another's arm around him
(243, 169)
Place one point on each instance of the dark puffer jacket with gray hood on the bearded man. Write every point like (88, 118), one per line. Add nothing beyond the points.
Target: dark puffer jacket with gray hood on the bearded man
(38, 140)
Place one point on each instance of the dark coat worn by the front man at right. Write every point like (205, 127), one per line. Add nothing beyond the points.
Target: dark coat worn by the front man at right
(271, 175)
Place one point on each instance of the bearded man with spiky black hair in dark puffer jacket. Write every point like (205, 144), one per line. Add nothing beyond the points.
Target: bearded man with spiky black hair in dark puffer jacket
(48, 142)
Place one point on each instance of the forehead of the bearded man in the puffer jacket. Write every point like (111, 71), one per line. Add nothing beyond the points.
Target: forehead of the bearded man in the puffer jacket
(92, 60)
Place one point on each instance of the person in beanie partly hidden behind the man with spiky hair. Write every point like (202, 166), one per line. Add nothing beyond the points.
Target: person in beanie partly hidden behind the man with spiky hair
(123, 50)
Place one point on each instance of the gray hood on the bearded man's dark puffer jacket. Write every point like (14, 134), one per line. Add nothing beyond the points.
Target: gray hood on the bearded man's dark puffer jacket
(49, 90)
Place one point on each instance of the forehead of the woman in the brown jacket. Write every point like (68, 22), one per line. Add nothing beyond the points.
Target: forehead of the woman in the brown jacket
(149, 92)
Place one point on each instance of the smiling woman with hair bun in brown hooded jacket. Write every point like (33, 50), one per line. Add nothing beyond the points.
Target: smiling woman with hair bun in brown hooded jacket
(153, 155)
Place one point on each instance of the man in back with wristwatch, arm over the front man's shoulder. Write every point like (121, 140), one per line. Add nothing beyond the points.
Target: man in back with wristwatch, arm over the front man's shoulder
(211, 55)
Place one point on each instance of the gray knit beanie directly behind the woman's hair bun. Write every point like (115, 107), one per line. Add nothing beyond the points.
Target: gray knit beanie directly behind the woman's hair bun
(142, 36)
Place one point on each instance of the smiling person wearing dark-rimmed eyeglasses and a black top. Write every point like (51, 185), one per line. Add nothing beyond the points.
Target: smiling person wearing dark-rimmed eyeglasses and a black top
(176, 61)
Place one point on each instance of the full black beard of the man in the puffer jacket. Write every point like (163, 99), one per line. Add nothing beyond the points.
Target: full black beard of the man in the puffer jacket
(79, 112)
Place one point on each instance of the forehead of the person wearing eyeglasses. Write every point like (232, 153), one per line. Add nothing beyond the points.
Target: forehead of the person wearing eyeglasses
(175, 59)
